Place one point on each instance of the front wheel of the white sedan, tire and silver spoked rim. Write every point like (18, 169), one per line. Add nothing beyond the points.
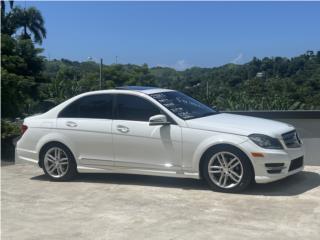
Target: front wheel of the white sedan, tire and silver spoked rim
(227, 169)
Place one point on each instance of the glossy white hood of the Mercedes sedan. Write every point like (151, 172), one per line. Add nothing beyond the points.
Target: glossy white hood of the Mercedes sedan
(241, 125)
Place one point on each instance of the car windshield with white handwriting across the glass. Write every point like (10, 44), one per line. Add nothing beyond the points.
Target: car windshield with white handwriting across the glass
(182, 105)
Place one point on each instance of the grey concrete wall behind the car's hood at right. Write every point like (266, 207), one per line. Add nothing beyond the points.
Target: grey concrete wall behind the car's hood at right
(307, 124)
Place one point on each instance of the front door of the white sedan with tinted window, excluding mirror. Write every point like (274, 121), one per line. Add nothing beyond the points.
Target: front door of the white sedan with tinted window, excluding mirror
(138, 145)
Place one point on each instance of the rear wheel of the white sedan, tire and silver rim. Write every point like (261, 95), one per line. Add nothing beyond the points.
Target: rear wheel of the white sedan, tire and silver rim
(57, 162)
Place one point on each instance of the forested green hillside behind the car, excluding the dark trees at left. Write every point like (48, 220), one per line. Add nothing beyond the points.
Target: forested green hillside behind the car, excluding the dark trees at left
(267, 84)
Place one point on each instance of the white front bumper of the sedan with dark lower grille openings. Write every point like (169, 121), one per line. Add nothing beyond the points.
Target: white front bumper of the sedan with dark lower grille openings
(275, 164)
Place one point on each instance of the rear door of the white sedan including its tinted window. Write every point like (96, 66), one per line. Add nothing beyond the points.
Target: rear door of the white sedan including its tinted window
(86, 124)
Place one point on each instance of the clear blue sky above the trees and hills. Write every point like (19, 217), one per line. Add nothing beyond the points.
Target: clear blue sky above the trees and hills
(179, 34)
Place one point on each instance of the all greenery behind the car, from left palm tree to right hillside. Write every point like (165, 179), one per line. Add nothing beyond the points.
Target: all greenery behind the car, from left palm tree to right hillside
(31, 83)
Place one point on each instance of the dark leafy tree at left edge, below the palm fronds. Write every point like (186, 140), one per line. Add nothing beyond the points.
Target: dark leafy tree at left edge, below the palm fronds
(21, 68)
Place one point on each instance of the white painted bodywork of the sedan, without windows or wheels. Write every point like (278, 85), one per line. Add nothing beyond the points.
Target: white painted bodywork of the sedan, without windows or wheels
(168, 150)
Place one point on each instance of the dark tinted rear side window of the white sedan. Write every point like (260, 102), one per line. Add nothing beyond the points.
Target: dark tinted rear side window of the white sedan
(93, 106)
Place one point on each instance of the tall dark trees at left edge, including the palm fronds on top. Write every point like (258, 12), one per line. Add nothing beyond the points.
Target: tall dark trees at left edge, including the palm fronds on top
(21, 63)
